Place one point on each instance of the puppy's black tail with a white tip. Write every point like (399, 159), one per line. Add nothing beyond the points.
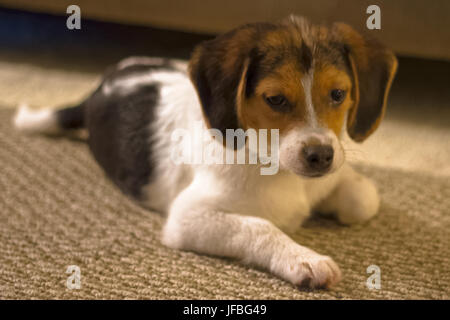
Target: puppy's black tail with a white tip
(47, 121)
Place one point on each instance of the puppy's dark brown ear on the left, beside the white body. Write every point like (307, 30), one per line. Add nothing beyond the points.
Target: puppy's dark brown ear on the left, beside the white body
(218, 69)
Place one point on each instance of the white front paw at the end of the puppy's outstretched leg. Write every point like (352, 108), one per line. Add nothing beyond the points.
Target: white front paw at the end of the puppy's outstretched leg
(312, 271)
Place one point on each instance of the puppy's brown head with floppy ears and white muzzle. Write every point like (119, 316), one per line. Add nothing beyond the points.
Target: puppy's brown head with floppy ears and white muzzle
(305, 80)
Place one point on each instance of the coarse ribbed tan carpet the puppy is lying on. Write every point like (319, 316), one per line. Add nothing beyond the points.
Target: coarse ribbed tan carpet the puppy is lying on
(57, 209)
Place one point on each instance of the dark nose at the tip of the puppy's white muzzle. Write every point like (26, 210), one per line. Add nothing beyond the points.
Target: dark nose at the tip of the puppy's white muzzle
(318, 158)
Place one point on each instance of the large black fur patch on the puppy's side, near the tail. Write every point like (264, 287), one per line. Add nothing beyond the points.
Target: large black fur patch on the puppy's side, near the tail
(119, 134)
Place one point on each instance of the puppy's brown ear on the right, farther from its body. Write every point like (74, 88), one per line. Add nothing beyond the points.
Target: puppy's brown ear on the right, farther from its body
(373, 67)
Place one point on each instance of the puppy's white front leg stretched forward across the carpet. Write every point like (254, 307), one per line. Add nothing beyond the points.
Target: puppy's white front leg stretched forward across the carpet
(194, 224)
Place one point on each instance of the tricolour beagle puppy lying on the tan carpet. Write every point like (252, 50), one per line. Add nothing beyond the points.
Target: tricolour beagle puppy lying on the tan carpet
(307, 82)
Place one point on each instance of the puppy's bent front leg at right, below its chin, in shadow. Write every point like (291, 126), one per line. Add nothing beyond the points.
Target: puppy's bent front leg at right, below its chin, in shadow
(354, 200)
